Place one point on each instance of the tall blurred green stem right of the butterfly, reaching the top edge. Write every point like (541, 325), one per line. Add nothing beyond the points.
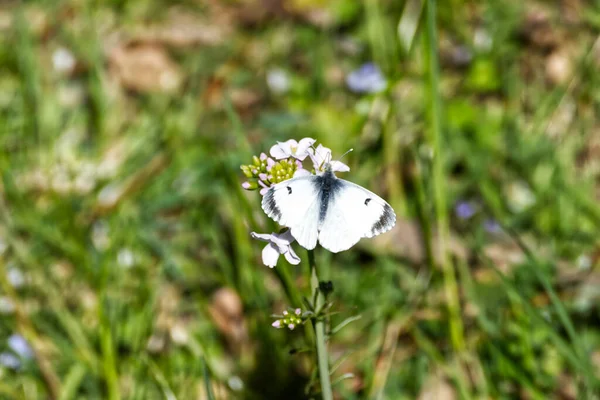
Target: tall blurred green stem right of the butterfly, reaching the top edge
(435, 138)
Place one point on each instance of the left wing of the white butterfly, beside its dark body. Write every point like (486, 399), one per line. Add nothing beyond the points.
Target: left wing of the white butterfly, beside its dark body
(295, 203)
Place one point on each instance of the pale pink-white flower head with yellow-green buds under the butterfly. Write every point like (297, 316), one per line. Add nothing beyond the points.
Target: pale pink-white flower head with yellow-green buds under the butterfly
(285, 162)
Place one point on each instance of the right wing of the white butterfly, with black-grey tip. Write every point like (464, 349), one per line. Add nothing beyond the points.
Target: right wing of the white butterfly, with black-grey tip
(353, 213)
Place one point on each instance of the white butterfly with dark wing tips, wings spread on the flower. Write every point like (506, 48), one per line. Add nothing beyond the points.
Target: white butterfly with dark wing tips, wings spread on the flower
(333, 211)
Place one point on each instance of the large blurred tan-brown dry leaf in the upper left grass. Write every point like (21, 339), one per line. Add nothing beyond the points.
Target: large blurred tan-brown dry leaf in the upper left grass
(145, 68)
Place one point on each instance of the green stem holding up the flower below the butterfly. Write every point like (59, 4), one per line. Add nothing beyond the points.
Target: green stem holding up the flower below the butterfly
(319, 324)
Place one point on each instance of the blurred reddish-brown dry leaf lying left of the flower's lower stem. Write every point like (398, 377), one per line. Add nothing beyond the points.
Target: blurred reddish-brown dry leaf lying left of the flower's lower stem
(227, 313)
